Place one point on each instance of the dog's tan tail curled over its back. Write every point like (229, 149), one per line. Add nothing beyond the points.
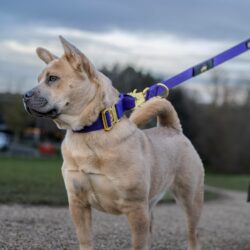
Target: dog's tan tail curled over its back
(163, 109)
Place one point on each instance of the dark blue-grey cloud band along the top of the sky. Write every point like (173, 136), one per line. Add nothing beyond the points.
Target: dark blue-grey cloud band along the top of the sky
(214, 19)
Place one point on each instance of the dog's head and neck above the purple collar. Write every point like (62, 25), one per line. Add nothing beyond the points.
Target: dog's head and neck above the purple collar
(70, 90)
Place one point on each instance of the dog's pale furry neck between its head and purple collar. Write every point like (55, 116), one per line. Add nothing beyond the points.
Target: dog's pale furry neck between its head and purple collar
(106, 95)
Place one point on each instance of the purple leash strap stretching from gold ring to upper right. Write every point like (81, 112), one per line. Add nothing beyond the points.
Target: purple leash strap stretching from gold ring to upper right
(156, 89)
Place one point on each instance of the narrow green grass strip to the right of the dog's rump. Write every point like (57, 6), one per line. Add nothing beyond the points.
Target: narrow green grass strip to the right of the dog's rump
(230, 182)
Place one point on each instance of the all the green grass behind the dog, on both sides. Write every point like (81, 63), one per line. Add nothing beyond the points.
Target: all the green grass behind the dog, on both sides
(39, 181)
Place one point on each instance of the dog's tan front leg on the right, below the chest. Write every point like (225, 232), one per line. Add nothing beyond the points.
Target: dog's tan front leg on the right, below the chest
(139, 220)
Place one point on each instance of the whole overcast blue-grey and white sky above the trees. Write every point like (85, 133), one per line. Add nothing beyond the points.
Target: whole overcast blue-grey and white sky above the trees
(163, 37)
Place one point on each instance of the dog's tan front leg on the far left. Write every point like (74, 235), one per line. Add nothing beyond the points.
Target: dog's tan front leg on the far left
(81, 216)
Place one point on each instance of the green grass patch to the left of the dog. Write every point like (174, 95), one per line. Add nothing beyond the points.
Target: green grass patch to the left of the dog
(32, 181)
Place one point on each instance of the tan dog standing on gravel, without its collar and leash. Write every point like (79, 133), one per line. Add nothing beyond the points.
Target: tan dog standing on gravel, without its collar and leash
(125, 170)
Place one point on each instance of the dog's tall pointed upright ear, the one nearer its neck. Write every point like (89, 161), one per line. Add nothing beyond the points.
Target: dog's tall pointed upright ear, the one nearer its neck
(77, 59)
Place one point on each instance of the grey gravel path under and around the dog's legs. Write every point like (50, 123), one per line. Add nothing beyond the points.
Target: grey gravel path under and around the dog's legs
(225, 224)
